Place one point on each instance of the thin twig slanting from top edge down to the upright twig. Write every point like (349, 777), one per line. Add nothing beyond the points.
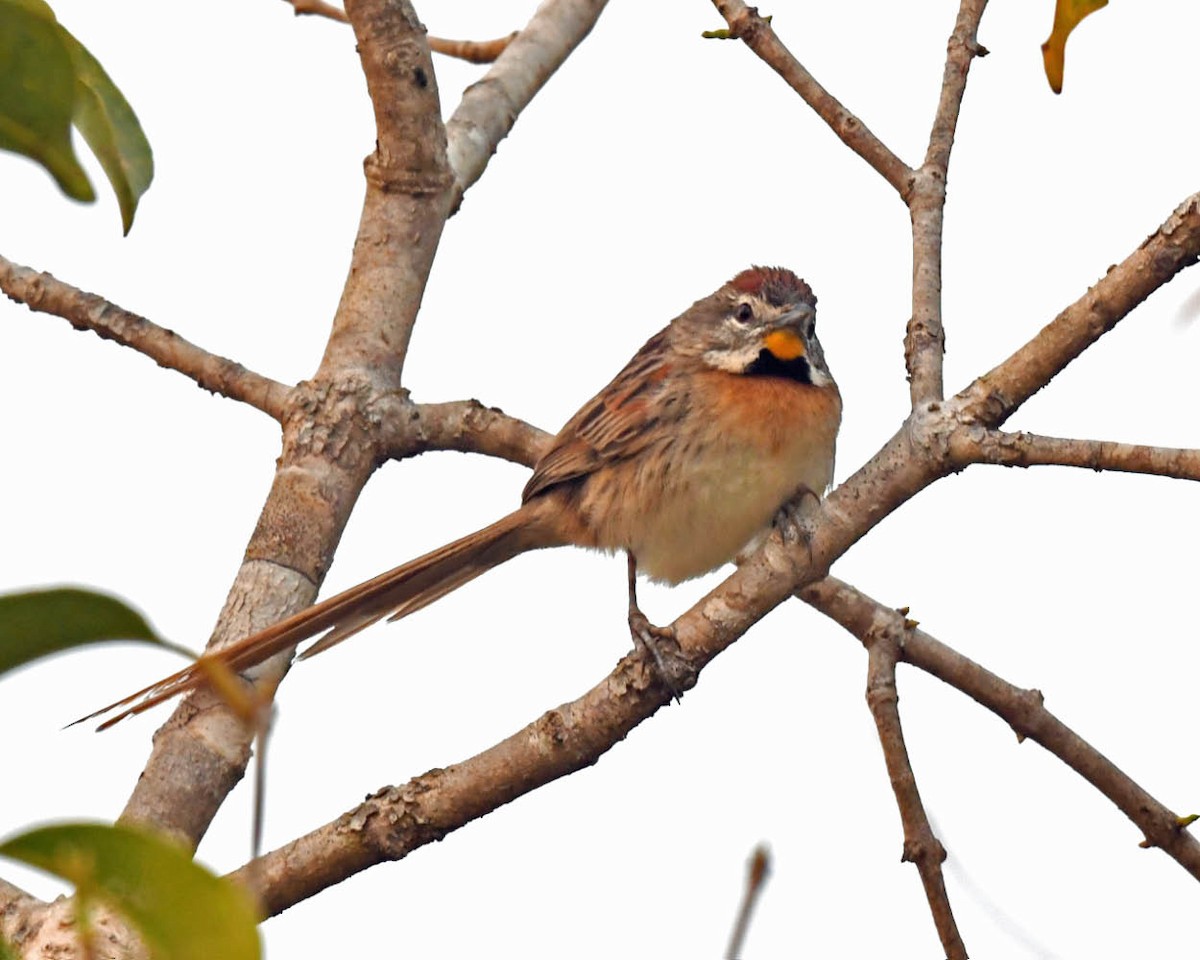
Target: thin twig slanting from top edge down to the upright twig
(758, 34)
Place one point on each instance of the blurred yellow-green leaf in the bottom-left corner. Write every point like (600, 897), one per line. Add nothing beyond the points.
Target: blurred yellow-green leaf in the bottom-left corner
(181, 910)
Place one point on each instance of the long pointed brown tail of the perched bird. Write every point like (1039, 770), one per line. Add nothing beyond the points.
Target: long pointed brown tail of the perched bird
(398, 593)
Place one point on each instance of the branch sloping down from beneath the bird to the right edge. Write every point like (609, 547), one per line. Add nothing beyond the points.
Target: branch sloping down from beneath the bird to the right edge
(1023, 710)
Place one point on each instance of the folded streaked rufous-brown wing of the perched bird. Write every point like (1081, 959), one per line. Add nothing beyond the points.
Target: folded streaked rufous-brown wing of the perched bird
(616, 424)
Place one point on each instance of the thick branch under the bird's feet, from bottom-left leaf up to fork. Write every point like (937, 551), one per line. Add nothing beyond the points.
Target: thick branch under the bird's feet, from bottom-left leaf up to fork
(399, 820)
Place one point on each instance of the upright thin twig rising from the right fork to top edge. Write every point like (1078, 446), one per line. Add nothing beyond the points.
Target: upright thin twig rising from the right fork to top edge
(926, 337)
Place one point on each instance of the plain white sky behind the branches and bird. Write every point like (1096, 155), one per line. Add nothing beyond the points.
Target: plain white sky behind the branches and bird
(653, 167)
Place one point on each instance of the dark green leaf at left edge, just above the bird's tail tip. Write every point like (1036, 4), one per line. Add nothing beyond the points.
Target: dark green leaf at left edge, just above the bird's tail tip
(39, 623)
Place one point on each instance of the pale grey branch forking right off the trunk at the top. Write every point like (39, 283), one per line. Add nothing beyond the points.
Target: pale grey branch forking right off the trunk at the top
(491, 107)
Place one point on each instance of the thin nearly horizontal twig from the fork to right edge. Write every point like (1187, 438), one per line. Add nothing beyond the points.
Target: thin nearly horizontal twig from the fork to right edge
(1033, 451)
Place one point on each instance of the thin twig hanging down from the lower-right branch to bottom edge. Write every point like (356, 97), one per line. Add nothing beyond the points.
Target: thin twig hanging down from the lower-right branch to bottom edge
(884, 645)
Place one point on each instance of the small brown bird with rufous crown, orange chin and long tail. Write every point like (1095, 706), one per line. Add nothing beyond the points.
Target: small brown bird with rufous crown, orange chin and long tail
(682, 461)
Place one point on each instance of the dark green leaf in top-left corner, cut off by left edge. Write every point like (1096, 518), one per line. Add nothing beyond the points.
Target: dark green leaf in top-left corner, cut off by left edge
(38, 93)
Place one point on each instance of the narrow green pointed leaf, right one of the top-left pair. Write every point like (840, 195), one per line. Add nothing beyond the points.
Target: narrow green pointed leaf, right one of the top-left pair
(109, 124)
